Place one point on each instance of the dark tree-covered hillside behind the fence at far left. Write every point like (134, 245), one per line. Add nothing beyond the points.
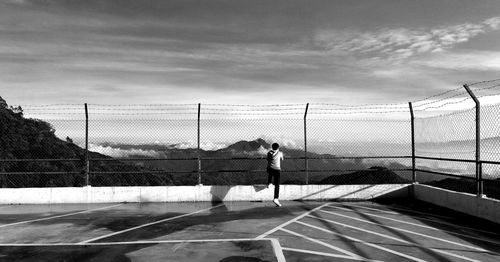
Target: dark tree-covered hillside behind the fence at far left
(43, 158)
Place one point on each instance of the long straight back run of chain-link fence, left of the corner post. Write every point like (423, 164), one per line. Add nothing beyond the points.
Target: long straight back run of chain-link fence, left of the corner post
(211, 144)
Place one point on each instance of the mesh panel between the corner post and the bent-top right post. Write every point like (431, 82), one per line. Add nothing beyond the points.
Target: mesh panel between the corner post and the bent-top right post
(445, 129)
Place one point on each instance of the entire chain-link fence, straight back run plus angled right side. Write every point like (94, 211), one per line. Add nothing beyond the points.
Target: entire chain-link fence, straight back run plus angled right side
(222, 144)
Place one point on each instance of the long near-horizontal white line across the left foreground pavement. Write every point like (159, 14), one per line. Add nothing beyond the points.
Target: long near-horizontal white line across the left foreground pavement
(132, 242)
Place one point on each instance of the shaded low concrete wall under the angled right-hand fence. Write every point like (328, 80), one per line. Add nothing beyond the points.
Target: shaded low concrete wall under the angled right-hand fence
(485, 208)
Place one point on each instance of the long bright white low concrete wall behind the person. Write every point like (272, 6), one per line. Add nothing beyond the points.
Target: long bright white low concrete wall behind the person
(197, 193)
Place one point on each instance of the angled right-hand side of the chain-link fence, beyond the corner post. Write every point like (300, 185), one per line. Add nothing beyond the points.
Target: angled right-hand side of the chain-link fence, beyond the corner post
(458, 139)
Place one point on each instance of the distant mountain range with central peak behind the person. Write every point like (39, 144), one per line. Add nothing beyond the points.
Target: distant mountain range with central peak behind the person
(228, 166)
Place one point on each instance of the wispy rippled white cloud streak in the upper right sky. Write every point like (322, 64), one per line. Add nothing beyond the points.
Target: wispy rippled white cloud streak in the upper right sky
(401, 43)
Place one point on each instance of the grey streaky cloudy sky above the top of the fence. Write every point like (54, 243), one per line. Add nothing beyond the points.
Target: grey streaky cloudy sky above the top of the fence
(243, 51)
